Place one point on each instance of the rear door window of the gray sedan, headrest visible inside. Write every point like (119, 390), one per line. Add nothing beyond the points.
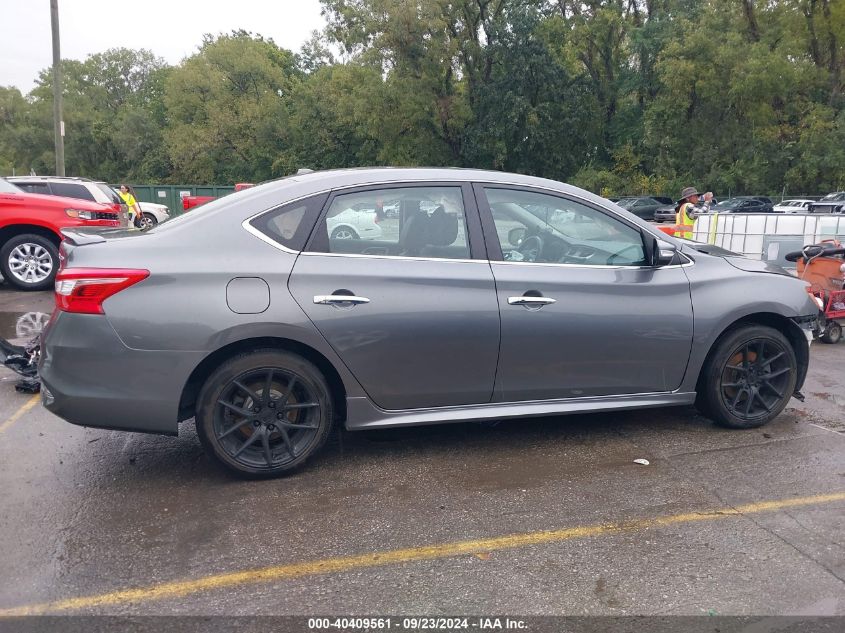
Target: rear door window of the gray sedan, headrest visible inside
(403, 222)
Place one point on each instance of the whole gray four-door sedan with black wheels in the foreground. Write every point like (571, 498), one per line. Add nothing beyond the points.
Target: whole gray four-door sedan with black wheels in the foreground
(513, 296)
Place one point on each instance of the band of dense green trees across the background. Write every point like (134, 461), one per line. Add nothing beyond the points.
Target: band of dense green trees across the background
(617, 96)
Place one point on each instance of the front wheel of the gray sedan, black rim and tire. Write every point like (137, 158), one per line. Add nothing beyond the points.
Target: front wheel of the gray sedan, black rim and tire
(748, 378)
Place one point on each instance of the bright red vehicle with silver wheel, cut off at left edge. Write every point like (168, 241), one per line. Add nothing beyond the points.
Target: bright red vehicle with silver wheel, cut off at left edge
(30, 226)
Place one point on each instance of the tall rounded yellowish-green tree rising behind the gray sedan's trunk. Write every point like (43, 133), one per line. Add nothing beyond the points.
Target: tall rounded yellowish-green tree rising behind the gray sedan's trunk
(228, 109)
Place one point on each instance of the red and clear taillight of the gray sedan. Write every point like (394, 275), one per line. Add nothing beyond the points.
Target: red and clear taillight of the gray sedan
(83, 290)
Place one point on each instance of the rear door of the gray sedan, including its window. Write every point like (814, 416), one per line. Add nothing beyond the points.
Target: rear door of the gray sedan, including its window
(412, 311)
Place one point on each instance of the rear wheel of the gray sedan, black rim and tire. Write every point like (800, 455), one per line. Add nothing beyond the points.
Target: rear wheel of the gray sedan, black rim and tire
(296, 421)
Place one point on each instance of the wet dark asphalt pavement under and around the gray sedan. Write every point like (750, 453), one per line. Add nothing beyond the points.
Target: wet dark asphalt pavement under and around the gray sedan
(550, 516)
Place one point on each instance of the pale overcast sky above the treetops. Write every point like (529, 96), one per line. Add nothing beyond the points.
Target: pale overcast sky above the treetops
(171, 29)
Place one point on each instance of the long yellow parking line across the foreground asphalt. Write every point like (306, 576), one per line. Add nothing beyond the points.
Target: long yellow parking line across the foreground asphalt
(380, 559)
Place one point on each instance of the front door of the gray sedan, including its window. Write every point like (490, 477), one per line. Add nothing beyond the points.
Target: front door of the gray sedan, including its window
(582, 313)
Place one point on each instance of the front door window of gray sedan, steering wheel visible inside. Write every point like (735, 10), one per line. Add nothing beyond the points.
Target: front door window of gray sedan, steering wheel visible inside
(547, 229)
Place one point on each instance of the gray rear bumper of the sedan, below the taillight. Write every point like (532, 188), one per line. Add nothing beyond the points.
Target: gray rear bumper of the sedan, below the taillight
(91, 378)
